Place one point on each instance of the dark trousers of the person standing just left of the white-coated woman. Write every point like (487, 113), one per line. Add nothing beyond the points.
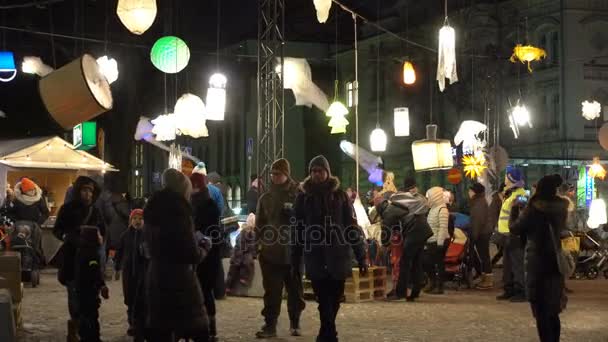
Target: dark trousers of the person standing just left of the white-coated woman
(410, 268)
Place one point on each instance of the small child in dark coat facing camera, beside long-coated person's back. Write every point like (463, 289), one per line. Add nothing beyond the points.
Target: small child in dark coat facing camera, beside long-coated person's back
(130, 262)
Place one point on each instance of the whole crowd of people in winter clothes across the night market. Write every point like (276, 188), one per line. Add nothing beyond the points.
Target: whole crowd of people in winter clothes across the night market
(169, 254)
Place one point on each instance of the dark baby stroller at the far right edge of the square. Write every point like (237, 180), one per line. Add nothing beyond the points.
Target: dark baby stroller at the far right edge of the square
(592, 259)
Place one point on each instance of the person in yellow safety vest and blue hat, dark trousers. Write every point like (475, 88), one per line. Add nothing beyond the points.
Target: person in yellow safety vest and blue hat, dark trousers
(513, 259)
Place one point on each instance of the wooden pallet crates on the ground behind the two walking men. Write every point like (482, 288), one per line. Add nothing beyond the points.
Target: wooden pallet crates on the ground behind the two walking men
(359, 288)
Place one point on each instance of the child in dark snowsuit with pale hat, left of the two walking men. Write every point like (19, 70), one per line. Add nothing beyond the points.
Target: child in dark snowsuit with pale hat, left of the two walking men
(240, 274)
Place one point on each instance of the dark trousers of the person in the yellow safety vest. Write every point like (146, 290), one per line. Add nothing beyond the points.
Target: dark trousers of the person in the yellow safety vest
(513, 266)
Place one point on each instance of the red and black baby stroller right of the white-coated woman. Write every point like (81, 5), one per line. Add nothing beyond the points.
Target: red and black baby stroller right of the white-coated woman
(458, 262)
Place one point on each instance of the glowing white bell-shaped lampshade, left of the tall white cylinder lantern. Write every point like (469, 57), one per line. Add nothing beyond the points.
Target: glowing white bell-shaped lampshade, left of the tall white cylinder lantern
(190, 116)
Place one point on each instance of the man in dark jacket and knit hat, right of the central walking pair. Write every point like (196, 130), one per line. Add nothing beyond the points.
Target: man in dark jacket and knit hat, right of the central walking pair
(325, 233)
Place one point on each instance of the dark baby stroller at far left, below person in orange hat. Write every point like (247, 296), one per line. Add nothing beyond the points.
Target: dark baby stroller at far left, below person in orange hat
(26, 238)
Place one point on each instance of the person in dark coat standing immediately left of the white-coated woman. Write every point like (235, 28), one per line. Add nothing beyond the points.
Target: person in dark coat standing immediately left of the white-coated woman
(405, 214)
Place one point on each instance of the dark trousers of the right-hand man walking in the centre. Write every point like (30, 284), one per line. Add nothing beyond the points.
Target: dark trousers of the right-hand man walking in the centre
(329, 291)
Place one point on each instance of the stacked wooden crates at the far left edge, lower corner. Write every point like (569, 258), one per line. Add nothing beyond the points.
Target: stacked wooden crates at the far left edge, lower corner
(10, 278)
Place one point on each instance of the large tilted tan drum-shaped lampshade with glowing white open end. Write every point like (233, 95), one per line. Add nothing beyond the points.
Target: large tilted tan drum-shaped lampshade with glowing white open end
(76, 92)
